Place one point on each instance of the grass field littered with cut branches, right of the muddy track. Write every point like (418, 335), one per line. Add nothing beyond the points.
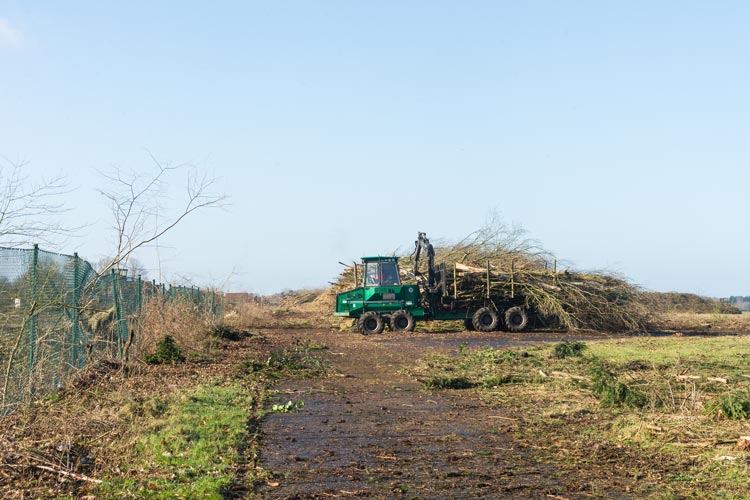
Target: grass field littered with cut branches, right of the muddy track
(676, 407)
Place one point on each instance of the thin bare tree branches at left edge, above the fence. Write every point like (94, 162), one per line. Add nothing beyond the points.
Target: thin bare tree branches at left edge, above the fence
(29, 210)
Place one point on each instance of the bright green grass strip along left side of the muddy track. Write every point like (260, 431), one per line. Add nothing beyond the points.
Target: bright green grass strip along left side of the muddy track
(190, 449)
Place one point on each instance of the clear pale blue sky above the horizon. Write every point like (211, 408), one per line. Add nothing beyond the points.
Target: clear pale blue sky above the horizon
(616, 133)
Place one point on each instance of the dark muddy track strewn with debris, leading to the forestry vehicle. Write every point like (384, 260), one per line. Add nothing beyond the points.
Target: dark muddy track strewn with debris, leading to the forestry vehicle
(370, 430)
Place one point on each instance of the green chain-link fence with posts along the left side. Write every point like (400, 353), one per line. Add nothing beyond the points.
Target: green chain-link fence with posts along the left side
(57, 314)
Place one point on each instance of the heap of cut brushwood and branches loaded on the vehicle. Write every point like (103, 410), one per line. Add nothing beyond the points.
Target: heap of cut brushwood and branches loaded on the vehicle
(518, 266)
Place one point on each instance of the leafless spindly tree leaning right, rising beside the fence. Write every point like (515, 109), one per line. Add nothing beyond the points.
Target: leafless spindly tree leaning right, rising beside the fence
(138, 214)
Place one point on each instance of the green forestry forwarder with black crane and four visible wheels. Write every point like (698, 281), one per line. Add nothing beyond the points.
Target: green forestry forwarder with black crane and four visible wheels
(383, 300)
